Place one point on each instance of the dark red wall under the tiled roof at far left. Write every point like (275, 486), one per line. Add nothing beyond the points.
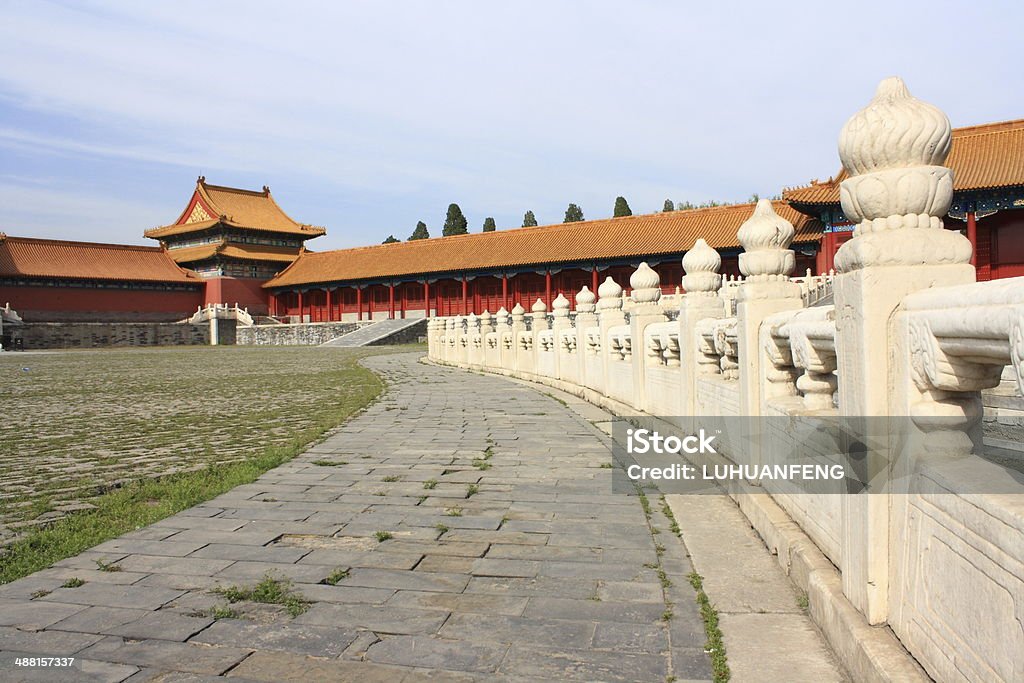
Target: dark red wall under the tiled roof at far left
(79, 304)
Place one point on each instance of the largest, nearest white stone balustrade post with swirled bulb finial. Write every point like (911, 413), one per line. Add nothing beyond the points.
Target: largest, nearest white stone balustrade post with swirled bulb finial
(898, 193)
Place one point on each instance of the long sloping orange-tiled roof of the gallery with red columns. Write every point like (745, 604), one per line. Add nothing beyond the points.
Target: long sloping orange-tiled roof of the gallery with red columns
(669, 233)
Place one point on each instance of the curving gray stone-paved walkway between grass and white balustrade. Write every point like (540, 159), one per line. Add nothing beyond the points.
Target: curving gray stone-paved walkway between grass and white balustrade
(519, 565)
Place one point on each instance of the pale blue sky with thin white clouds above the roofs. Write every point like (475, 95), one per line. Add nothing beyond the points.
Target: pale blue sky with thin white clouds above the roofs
(367, 117)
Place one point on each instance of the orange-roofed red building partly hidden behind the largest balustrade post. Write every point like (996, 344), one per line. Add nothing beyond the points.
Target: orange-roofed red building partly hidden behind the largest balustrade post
(989, 199)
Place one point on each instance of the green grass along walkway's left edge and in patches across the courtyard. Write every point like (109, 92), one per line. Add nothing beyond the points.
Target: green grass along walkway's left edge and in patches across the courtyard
(145, 501)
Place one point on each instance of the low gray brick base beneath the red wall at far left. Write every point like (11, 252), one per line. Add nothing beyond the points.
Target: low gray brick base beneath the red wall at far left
(99, 335)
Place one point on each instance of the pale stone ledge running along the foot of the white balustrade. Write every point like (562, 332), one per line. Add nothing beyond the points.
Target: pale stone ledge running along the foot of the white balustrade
(868, 653)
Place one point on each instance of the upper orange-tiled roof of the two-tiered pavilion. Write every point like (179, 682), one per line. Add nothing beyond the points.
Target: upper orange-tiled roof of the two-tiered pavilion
(249, 209)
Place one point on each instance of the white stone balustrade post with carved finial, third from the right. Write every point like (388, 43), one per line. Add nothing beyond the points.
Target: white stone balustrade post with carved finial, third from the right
(702, 283)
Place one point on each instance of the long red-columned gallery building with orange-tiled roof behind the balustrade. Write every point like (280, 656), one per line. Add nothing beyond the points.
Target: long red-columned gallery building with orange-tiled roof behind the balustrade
(488, 271)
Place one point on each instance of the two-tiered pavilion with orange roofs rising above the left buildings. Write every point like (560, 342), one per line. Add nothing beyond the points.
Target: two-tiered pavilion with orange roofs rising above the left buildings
(236, 240)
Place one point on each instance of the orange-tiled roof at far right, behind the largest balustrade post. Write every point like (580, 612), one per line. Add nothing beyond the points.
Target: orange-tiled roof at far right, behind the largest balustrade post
(984, 157)
